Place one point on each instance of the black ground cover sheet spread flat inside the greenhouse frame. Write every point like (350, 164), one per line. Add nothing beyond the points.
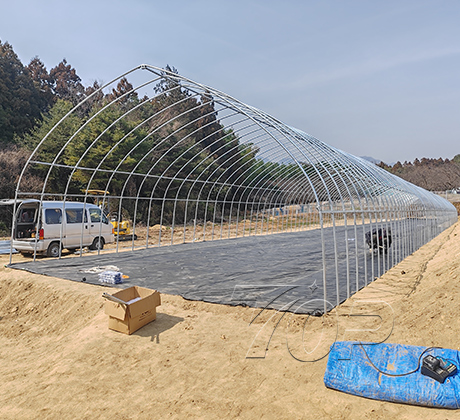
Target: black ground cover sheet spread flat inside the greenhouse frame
(281, 271)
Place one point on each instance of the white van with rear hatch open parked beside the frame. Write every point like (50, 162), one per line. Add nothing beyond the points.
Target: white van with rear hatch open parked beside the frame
(41, 227)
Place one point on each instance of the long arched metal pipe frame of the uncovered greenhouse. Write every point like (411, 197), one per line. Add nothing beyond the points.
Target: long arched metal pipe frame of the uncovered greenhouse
(217, 168)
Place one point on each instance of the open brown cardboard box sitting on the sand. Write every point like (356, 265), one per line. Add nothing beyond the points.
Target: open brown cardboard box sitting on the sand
(139, 310)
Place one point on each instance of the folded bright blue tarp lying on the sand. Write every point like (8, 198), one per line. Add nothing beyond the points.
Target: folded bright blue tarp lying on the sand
(350, 370)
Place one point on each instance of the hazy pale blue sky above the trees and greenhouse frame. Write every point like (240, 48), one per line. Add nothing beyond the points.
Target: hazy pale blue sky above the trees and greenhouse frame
(371, 77)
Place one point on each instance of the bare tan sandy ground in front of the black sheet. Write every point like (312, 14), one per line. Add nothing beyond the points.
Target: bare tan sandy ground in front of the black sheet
(197, 360)
